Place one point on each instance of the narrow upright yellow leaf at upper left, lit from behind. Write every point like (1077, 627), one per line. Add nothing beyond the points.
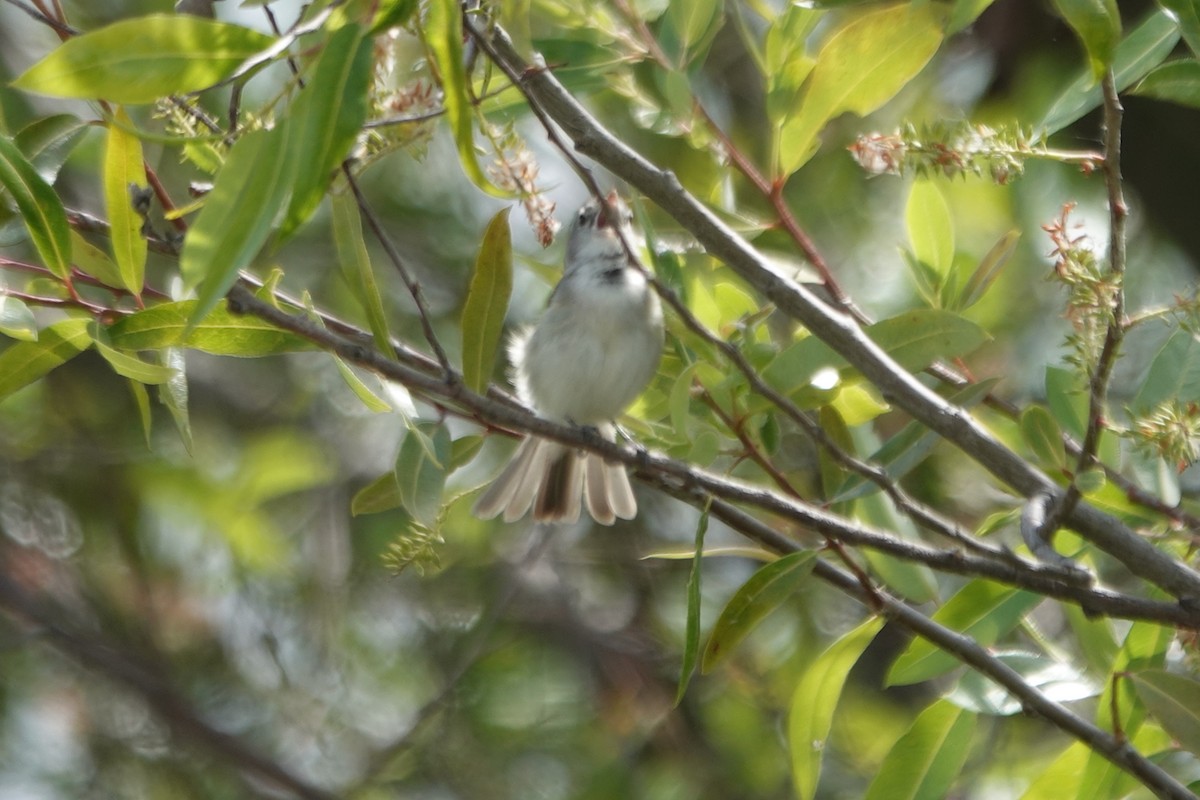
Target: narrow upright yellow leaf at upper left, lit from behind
(124, 172)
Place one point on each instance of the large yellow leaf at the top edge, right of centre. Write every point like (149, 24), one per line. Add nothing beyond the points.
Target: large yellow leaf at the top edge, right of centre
(862, 67)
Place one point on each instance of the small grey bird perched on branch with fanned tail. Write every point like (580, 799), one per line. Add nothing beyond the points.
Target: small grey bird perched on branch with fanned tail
(586, 360)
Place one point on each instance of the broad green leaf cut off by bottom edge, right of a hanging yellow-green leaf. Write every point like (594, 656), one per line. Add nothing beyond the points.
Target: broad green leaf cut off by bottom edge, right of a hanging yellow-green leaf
(928, 759)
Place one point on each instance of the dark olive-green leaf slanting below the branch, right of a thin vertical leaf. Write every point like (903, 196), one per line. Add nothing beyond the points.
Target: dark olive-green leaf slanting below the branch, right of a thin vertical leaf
(765, 592)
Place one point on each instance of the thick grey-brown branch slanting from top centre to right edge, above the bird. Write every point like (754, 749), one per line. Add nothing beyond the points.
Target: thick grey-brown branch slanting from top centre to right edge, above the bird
(952, 423)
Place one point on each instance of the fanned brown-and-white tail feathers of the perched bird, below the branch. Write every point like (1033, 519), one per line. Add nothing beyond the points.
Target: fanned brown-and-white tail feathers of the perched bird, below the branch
(557, 482)
